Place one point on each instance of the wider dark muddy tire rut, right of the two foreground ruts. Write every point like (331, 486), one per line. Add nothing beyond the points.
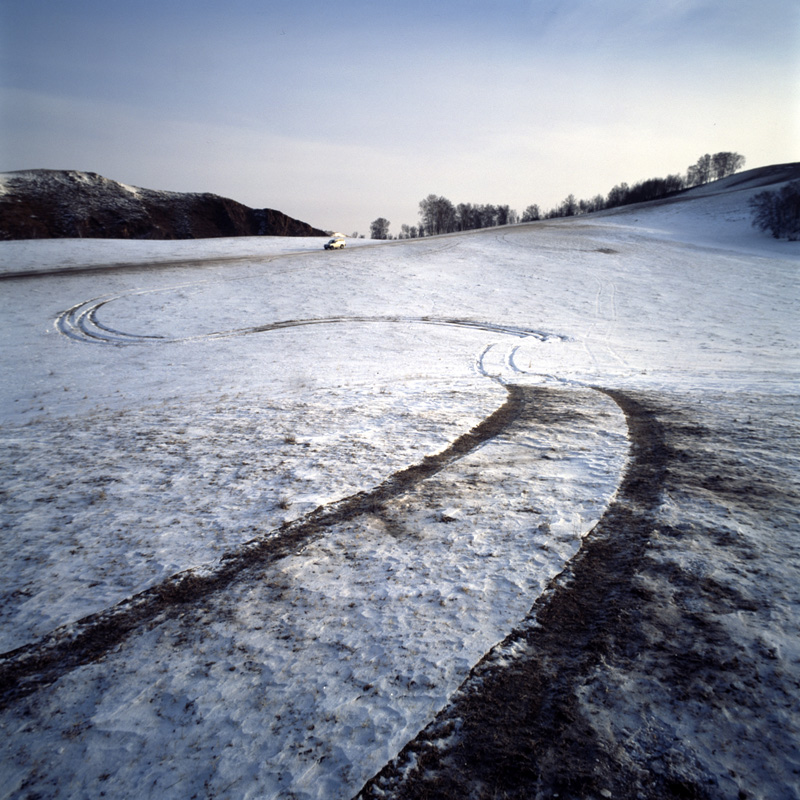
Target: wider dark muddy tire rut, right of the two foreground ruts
(514, 729)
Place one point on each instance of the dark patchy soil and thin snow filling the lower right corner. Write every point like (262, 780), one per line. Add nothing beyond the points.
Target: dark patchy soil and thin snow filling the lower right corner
(662, 663)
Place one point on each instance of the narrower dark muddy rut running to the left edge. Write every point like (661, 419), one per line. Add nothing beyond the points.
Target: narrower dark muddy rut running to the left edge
(39, 664)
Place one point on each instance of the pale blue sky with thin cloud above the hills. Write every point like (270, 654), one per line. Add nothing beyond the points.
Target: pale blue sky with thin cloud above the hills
(339, 113)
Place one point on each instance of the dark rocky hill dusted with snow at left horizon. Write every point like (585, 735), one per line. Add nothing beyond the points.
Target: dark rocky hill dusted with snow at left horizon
(51, 204)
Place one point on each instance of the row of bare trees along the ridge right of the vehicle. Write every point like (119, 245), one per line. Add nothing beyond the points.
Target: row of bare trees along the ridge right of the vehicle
(440, 215)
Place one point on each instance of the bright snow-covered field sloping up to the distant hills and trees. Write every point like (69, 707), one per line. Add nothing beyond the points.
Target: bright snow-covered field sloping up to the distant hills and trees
(182, 403)
